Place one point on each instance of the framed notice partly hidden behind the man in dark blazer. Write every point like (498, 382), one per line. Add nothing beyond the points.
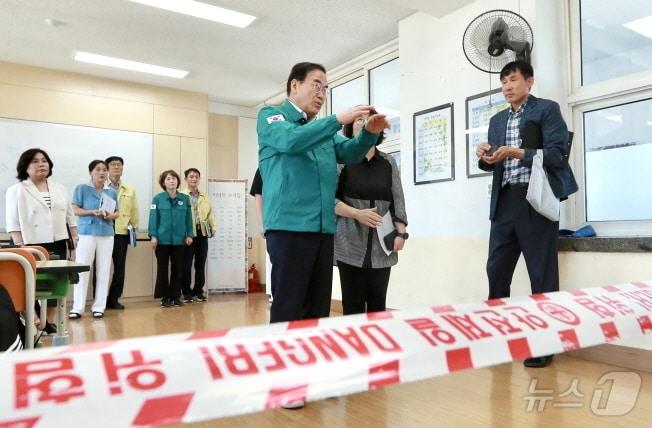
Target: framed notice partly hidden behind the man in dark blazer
(479, 109)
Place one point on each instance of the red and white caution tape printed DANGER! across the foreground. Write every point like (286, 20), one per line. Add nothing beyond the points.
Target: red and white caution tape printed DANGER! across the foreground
(198, 376)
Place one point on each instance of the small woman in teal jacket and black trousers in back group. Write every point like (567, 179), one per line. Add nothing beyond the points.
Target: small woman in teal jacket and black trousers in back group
(170, 228)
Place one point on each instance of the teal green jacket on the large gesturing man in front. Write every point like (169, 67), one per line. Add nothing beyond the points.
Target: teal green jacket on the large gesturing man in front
(298, 164)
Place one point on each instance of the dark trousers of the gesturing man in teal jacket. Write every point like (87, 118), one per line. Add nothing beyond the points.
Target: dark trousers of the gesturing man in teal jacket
(302, 274)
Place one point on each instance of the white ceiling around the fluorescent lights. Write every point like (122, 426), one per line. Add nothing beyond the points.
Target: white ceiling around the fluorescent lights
(232, 65)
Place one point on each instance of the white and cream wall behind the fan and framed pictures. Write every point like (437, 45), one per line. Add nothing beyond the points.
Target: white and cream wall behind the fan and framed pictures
(444, 259)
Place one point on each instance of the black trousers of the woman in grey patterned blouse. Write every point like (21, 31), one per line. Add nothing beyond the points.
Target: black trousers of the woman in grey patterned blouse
(363, 289)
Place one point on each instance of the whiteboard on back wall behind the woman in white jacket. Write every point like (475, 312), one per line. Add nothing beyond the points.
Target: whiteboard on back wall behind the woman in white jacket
(71, 148)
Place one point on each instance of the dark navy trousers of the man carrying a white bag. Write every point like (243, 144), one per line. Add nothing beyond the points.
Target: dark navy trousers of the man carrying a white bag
(517, 228)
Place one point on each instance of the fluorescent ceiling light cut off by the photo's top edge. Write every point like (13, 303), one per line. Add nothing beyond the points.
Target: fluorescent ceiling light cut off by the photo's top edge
(202, 10)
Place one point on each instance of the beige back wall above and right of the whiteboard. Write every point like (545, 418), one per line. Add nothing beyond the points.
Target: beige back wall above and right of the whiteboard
(177, 119)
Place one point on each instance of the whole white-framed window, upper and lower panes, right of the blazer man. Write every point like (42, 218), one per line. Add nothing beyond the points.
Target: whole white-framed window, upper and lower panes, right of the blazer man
(611, 99)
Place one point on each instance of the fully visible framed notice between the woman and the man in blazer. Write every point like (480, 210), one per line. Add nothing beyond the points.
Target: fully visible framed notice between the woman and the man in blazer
(434, 152)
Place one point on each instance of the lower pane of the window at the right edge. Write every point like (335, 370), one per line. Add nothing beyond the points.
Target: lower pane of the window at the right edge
(618, 152)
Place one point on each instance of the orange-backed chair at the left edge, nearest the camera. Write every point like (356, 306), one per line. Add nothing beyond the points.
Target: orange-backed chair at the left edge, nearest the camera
(18, 275)
